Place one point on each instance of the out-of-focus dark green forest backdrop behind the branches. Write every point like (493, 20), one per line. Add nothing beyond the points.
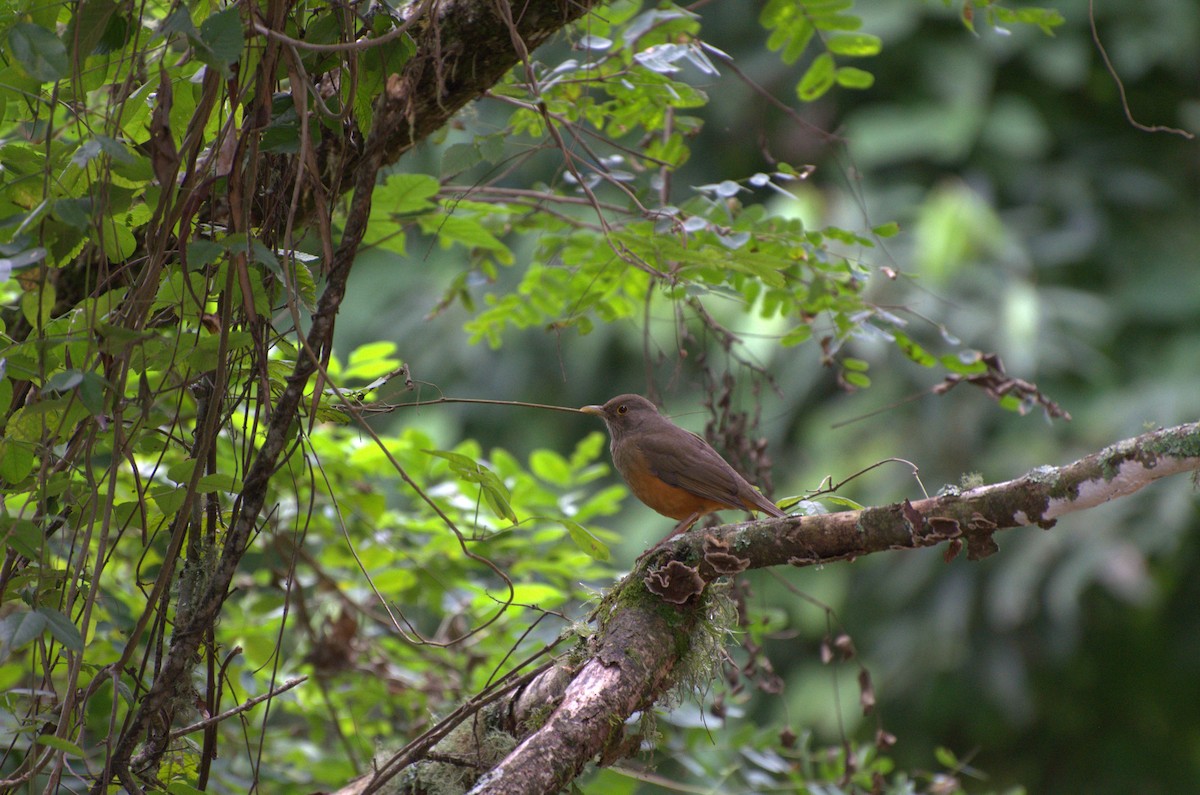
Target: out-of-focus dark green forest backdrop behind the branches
(1037, 223)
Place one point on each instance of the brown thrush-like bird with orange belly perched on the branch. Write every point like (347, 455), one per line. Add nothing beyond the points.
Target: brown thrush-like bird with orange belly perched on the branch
(671, 470)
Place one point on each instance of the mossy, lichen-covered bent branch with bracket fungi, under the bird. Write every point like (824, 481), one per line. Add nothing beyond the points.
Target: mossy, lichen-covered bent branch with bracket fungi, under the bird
(643, 639)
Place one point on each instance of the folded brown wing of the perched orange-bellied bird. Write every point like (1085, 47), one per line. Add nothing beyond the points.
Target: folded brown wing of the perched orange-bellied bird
(683, 459)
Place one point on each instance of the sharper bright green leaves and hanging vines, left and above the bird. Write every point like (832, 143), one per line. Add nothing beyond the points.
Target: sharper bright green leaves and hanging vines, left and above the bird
(169, 208)
